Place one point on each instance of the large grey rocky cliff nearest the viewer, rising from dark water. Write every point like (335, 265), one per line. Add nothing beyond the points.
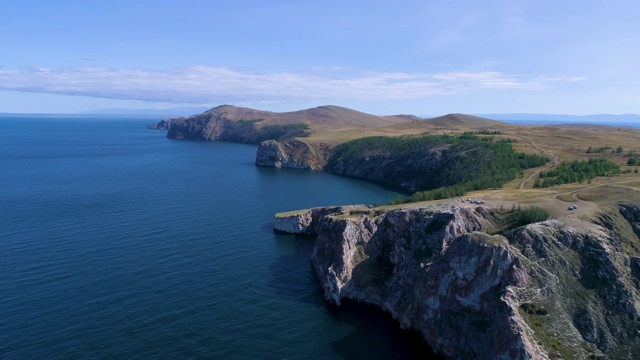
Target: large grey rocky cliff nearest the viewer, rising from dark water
(555, 289)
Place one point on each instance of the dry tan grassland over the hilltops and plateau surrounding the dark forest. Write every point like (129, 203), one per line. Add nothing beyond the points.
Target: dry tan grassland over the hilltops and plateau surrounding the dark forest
(332, 125)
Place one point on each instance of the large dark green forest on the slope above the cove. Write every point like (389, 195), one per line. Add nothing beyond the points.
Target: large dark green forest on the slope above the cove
(438, 166)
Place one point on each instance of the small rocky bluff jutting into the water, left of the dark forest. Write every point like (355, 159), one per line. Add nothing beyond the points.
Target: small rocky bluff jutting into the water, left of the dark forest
(294, 154)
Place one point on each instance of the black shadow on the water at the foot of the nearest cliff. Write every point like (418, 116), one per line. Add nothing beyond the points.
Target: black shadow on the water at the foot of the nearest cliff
(377, 335)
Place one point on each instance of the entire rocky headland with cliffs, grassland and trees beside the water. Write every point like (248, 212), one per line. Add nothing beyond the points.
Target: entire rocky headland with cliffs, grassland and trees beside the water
(477, 281)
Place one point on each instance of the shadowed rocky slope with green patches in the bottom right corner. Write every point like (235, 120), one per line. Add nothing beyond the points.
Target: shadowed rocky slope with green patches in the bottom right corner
(584, 281)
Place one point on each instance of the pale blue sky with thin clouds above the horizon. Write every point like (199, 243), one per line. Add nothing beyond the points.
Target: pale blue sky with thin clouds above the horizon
(382, 57)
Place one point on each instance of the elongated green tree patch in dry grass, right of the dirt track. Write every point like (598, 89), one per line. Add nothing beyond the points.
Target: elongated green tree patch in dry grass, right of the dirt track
(576, 171)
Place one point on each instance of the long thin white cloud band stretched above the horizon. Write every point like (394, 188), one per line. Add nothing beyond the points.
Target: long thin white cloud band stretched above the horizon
(202, 84)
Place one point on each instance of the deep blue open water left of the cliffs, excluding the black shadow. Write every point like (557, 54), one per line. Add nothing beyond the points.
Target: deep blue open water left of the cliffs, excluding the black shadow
(116, 242)
